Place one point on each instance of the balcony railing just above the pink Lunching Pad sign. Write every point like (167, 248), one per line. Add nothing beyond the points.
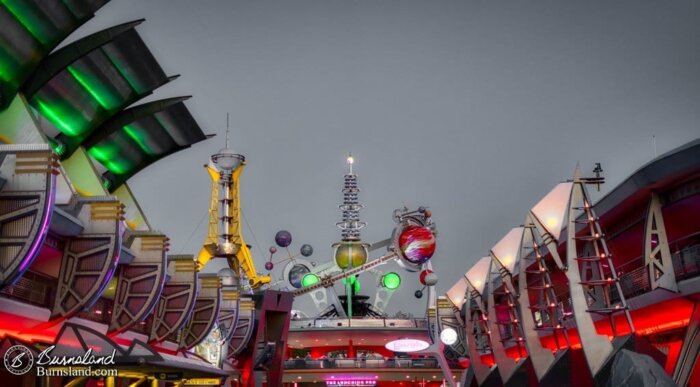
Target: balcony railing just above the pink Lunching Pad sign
(355, 363)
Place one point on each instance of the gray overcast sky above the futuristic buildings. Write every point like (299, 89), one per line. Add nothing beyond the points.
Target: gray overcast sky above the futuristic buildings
(474, 108)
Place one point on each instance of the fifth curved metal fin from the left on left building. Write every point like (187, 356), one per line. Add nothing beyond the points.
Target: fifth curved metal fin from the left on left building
(204, 314)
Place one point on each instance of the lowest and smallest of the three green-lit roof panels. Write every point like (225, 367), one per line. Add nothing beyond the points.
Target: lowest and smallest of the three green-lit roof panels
(140, 136)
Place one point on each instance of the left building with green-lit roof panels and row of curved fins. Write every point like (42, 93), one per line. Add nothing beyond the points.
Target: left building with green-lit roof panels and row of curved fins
(80, 265)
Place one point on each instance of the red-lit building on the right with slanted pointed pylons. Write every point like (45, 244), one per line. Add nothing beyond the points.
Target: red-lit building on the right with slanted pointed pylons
(564, 296)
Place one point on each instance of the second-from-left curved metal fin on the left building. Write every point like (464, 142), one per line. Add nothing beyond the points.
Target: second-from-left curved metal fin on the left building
(90, 258)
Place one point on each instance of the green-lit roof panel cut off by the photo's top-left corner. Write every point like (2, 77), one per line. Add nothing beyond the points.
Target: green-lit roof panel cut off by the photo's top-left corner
(30, 30)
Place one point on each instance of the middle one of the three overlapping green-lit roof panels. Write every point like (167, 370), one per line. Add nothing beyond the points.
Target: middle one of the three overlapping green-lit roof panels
(82, 85)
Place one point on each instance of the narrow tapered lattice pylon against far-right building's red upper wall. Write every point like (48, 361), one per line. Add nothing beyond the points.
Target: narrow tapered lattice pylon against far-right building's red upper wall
(657, 253)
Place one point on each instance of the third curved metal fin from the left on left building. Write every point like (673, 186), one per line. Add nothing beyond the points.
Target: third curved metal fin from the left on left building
(140, 282)
